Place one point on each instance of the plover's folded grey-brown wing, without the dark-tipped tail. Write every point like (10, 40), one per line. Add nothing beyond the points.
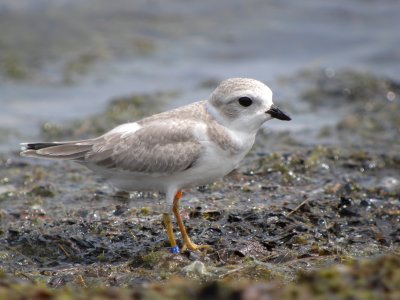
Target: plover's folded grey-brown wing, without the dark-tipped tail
(156, 148)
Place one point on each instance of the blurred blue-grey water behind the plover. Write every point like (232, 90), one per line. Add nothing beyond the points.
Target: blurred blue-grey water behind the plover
(62, 60)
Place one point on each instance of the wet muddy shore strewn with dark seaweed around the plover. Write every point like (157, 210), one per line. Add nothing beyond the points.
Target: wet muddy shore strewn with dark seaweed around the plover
(296, 220)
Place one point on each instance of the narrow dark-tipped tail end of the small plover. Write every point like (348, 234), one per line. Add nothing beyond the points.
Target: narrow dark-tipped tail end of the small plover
(57, 150)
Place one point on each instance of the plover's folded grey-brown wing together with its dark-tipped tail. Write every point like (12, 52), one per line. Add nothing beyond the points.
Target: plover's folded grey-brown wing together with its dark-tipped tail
(156, 148)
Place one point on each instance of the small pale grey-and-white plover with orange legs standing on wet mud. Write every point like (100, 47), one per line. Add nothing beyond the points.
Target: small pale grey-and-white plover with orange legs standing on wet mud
(188, 146)
